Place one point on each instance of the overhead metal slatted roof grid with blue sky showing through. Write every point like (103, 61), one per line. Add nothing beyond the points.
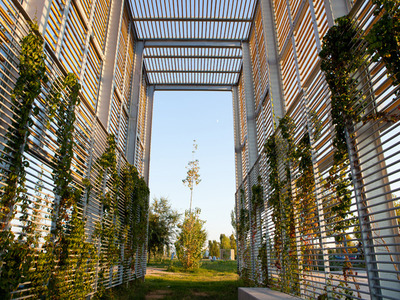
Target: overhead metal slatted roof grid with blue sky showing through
(193, 44)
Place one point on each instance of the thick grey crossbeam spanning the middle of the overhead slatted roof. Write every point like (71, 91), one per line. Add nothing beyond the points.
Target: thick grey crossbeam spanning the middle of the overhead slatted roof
(192, 43)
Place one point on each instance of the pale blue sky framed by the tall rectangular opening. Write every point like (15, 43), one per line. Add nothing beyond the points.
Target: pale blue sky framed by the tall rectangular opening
(178, 119)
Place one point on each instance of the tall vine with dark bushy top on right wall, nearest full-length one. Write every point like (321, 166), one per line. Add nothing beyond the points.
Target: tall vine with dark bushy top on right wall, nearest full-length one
(339, 63)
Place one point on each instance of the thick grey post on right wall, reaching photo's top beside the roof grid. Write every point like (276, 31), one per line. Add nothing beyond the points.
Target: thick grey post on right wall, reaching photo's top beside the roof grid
(275, 77)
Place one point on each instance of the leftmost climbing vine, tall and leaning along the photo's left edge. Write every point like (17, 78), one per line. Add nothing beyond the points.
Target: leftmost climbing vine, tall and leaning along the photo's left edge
(16, 255)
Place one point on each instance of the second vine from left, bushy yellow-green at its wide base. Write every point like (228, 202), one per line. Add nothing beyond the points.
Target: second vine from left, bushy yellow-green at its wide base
(74, 257)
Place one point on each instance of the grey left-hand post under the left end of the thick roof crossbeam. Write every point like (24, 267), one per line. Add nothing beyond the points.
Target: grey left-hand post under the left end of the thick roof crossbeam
(134, 102)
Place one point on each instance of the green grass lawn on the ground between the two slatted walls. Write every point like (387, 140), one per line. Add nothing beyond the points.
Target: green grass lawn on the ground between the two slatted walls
(214, 280)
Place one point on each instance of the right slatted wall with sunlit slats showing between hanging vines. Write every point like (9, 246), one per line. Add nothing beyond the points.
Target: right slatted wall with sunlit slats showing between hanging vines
(310, 262)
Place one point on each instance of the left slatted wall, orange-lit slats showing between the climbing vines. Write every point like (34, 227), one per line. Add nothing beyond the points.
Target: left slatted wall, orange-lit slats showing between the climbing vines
(75, 41)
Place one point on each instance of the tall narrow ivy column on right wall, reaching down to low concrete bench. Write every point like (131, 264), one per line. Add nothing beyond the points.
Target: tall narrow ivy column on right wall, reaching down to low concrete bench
(279, 150)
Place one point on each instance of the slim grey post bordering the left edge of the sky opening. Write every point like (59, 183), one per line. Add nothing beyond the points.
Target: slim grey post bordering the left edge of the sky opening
(149, 122)
